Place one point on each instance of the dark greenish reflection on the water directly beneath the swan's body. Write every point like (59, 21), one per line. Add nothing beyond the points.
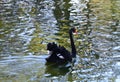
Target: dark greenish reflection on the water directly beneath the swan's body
(56, 70)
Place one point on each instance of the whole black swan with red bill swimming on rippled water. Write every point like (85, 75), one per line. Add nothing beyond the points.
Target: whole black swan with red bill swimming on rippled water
(59, 53)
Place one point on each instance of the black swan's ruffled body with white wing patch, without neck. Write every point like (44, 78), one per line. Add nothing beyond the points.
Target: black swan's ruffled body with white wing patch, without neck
(59, 53)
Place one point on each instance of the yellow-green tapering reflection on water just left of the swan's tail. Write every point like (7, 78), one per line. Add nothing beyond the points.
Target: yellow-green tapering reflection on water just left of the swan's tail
(36, 44)
